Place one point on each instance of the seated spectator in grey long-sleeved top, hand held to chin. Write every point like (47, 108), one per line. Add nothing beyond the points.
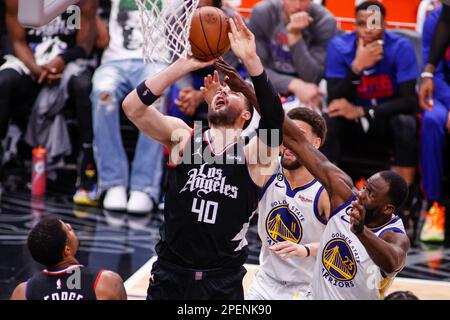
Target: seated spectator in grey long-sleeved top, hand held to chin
(291, 39)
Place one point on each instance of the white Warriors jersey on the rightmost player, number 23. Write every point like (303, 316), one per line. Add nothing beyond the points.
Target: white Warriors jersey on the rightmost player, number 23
(344, 269)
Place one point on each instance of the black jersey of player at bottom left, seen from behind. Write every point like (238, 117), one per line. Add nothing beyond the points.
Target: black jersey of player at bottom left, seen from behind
(72, 283)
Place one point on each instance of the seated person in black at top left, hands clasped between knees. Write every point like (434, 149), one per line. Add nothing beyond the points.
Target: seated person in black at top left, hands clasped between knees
(42, 58)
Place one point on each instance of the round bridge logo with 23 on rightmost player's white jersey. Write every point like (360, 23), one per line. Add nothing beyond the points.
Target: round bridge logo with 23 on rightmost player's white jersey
(339, 261)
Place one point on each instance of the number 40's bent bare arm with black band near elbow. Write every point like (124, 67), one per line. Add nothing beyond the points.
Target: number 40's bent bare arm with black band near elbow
(138, 104)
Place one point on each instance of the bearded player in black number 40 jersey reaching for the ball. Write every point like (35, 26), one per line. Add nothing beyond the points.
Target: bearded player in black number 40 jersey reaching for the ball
(214, 178)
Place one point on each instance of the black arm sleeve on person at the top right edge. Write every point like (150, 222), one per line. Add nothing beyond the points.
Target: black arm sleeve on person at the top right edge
(441, 37)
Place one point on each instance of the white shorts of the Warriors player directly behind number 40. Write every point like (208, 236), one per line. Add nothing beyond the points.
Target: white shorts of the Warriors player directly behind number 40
(266, 288)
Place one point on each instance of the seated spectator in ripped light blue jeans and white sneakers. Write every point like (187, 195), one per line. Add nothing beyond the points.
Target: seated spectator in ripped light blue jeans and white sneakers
(121, 70)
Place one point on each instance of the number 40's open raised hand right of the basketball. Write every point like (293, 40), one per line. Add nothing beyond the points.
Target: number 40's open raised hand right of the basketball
(242, 40)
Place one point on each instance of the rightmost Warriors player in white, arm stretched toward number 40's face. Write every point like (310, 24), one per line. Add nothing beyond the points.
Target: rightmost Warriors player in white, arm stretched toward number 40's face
(364, 244)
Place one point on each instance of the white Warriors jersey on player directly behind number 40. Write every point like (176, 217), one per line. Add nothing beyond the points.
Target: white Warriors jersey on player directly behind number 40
(287, 214)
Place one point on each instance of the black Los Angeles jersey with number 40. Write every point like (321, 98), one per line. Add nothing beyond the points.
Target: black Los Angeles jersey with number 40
(209, 202)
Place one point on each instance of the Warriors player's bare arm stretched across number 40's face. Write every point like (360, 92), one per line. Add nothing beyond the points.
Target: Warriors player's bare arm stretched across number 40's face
(337, 183)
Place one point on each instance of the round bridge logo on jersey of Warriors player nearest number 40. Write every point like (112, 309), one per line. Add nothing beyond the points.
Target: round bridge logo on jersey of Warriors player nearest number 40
(283, 225)
